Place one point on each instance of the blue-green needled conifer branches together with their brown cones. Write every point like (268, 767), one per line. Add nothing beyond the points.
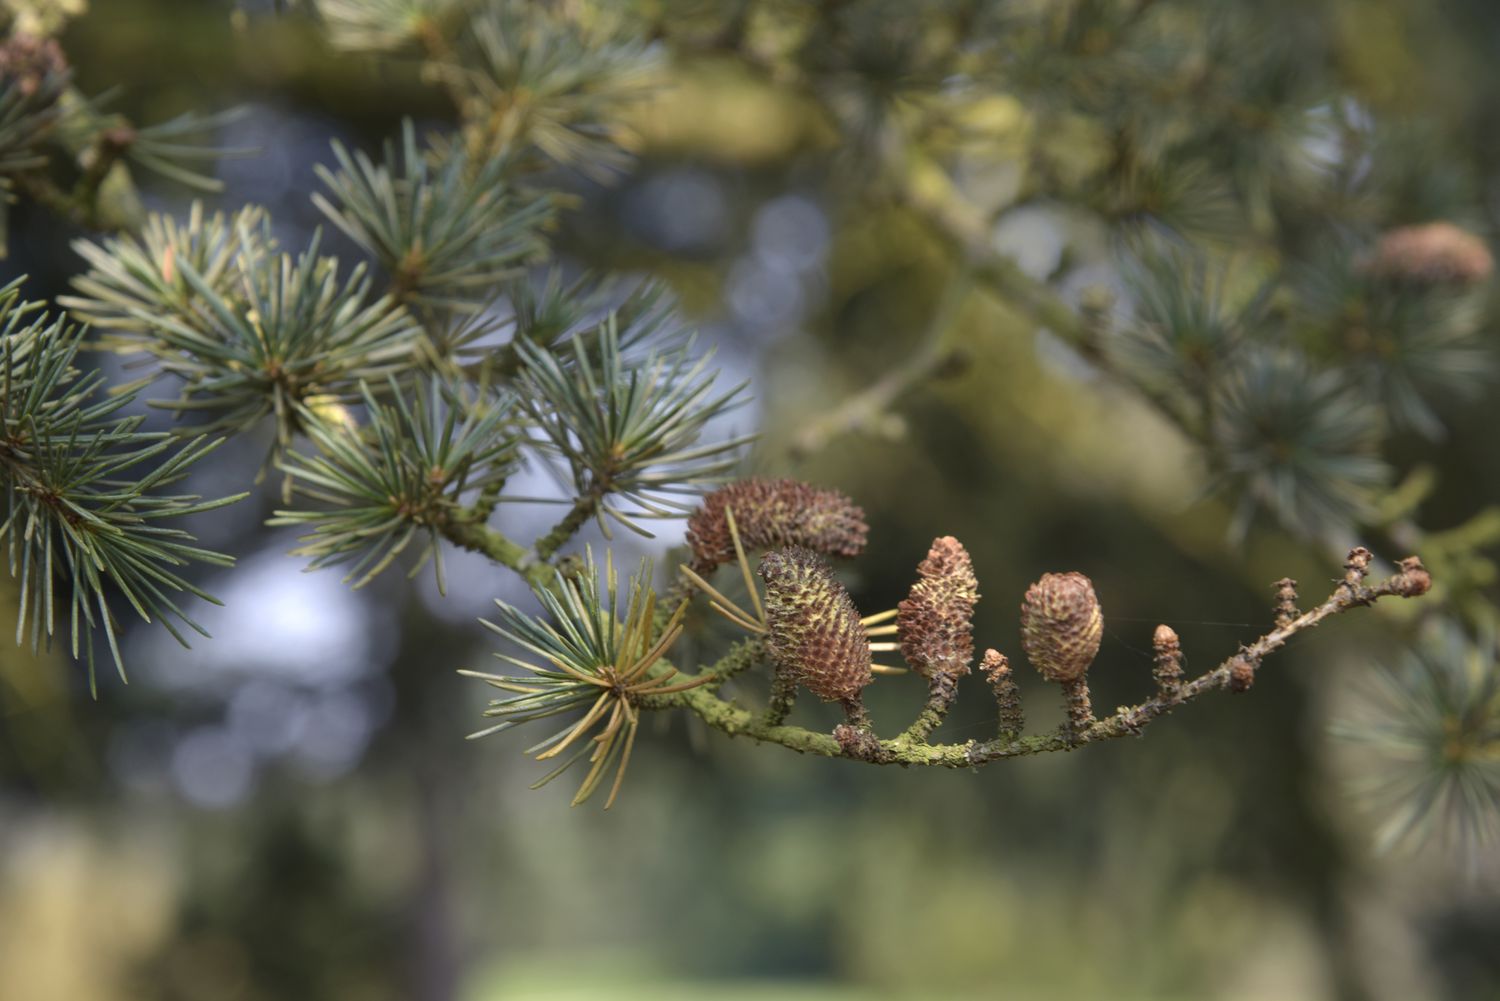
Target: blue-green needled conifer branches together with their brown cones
(1270, 305)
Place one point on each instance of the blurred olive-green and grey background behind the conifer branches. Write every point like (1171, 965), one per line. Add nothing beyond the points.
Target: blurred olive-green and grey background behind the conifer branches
(289, 811)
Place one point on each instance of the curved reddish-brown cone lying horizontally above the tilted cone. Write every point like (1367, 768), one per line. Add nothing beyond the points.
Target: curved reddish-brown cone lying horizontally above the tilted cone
(775, 514)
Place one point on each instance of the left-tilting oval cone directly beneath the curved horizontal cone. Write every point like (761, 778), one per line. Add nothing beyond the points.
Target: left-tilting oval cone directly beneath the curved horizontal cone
(815, 630)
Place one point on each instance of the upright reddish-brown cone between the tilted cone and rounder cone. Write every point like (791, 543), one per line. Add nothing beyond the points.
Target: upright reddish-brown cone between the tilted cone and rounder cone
(935, 621)
